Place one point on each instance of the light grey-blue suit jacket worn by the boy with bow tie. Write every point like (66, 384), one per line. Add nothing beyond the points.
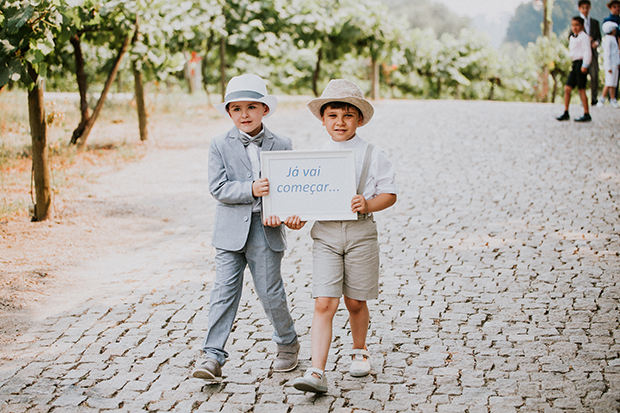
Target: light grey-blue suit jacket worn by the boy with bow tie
(230, 183)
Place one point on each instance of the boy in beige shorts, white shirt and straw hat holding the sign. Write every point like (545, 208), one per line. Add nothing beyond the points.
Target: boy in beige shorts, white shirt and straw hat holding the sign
(346, 253)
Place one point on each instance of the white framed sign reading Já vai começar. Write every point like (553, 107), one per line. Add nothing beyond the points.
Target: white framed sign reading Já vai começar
(315, 185)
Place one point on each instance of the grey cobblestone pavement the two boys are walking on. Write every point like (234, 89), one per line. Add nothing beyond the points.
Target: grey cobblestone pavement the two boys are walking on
(499, 293)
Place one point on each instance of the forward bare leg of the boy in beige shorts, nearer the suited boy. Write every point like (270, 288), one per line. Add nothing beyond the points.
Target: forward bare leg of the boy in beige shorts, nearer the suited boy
(321, 335)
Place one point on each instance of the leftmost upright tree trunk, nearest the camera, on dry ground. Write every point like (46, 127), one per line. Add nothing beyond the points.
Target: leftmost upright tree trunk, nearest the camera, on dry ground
(40, 160)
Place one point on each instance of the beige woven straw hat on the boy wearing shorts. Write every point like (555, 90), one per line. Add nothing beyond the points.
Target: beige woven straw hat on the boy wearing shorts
(342, 90)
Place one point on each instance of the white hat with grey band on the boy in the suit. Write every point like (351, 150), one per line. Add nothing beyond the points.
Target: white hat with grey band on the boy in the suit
(247, 88)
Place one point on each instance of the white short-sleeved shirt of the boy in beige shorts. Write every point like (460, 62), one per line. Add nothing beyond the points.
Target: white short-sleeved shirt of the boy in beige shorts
(381, 176)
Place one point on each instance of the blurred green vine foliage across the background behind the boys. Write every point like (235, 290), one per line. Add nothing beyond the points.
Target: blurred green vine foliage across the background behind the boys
(420, 48)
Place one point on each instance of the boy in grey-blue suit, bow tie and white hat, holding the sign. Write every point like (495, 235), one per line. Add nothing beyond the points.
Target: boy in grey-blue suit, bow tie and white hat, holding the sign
(240, 236)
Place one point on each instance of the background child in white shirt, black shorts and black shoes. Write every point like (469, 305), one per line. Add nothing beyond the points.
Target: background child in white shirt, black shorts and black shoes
(580, 52)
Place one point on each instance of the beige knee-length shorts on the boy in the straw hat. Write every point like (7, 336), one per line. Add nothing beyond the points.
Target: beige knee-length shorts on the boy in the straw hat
(345, 256)
